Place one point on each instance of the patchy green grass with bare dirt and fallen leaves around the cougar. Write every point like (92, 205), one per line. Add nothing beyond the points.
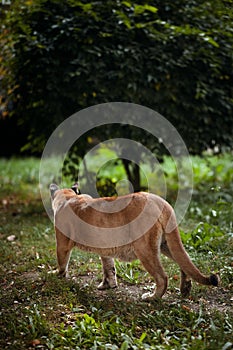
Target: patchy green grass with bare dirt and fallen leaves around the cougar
(40, 310)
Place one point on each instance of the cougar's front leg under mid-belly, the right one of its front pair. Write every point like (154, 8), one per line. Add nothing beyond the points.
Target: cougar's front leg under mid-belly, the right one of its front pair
(109, 273)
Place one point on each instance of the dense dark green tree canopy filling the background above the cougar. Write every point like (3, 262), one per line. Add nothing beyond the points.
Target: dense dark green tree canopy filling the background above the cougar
(174, 57)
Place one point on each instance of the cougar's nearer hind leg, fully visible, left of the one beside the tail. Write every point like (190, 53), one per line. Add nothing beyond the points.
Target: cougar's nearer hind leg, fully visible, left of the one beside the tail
(150, 259)
